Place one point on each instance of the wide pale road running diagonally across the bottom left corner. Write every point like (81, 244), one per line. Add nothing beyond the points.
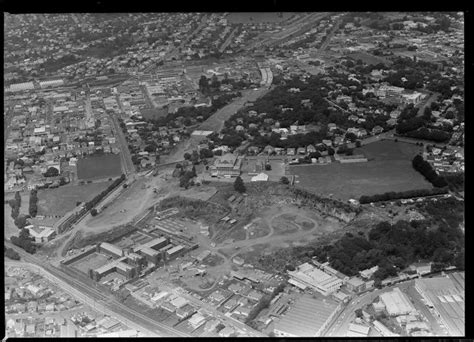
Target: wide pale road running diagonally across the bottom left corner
(95, 297)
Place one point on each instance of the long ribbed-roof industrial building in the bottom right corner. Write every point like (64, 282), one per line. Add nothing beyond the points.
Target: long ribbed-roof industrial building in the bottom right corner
(446, 296)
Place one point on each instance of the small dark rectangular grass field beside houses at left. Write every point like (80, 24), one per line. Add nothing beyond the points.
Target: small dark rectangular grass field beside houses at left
(97, 167)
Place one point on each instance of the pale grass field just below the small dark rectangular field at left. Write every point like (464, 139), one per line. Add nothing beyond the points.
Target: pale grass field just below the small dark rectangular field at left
(63, 199)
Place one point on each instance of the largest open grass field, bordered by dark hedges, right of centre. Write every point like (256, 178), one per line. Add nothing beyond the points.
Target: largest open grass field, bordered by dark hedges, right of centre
(390, 170)
